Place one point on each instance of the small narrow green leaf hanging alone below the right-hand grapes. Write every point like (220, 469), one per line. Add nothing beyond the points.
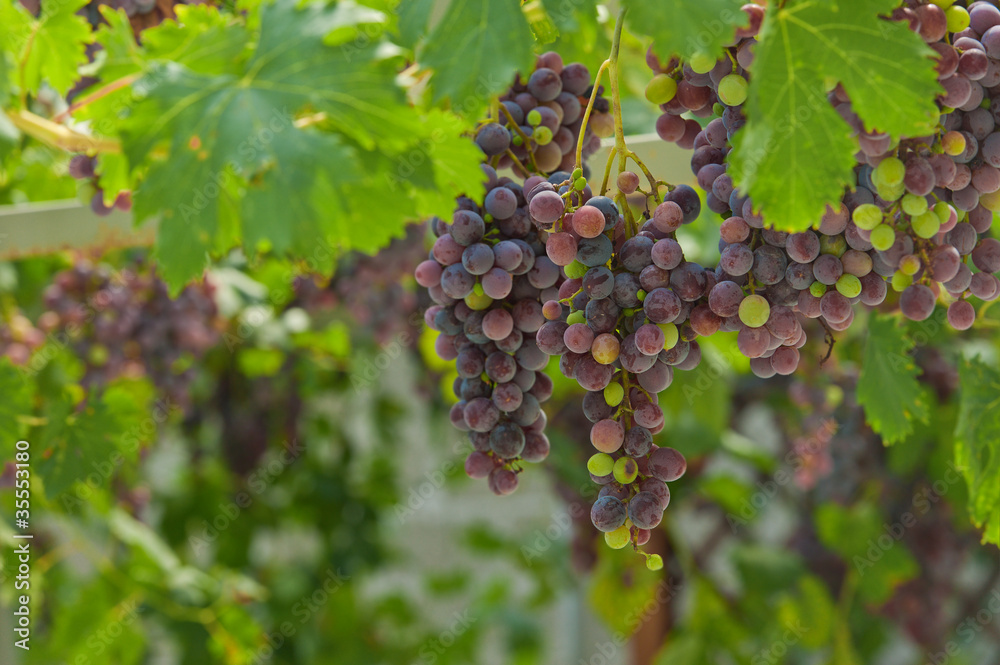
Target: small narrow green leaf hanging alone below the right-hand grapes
(888, 387)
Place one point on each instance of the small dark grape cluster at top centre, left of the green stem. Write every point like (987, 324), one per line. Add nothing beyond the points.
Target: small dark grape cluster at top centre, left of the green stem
(540, 119)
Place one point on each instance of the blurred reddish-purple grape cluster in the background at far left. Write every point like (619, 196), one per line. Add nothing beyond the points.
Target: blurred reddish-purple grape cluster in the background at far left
(126, 324)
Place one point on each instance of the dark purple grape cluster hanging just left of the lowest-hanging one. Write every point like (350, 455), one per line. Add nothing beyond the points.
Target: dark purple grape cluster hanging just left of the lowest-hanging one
(487, 275)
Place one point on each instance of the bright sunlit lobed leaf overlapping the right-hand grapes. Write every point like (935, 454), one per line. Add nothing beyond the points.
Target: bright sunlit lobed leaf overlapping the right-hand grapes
(795, 154)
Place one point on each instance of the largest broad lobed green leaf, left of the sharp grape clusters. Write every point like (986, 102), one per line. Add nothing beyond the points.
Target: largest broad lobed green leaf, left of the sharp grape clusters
(205, 134)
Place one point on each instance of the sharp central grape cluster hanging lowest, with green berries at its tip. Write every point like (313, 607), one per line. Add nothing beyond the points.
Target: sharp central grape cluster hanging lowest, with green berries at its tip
(616, 327)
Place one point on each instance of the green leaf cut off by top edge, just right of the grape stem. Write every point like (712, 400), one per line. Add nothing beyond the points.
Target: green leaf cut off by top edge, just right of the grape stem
(685, 28)
